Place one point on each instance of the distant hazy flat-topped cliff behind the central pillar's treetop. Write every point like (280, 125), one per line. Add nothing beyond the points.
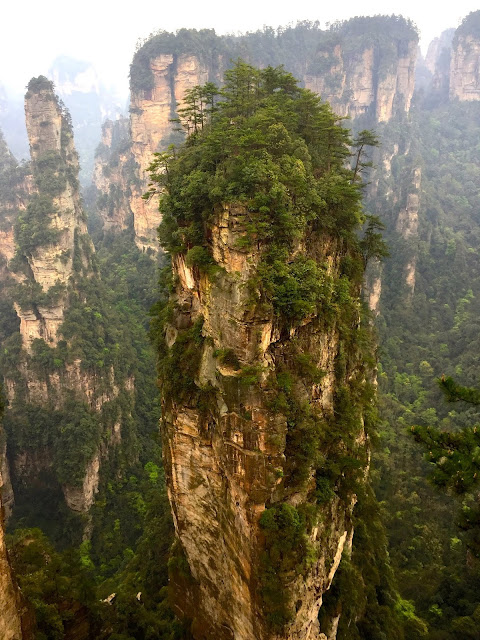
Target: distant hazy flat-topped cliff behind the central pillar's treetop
(363, 66)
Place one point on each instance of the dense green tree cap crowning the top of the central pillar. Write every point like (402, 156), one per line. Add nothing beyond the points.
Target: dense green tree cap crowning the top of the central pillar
(270, 145)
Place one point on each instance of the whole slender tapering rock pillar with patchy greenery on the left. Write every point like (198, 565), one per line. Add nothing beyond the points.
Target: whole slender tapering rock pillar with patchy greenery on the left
(58, 347)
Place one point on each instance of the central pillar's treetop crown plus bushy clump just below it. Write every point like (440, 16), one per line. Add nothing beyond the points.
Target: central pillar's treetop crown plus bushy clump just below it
(278, 151)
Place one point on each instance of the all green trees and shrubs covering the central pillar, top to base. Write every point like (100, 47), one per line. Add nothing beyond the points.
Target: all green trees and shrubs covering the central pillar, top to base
(279, 153)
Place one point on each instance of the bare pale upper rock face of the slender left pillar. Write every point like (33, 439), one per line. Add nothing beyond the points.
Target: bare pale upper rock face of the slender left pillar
(55, 169)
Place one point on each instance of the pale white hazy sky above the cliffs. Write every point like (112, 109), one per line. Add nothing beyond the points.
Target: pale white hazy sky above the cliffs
(34, 32)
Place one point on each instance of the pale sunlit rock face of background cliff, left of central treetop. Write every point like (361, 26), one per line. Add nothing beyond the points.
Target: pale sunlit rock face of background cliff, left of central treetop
(151, 112)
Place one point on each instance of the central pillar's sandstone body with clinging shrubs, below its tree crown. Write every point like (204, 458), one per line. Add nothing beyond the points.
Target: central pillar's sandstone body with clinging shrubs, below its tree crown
(256, 390)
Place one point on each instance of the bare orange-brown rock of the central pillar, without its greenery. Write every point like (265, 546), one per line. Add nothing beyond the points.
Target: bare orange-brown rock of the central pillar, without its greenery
(227, 455)
